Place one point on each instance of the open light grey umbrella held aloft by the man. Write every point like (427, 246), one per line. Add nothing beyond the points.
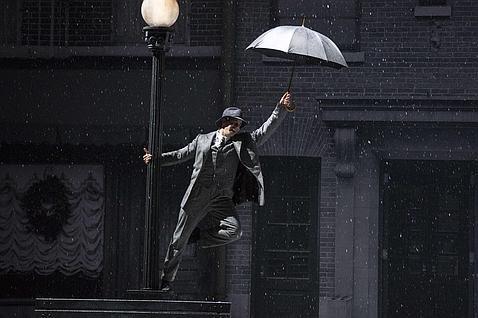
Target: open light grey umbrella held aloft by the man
(299, 44)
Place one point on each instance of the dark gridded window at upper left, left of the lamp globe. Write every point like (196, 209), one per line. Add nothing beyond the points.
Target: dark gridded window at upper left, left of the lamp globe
(66, 22)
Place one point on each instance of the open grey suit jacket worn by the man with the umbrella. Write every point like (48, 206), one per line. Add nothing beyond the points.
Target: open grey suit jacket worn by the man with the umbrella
(245, 143)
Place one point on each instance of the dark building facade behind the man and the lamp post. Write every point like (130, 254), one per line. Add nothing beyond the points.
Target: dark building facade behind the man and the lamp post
(370, 184)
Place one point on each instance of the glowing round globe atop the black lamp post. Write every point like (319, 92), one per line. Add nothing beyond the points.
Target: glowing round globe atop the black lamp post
(160, 13)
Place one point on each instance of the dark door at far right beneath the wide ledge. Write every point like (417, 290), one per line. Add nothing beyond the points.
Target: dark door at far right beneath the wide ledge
(427, 231)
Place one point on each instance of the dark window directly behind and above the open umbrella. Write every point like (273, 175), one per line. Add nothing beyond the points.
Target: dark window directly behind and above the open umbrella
(336, 19)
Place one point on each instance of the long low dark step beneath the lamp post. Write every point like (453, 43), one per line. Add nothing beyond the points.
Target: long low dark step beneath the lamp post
(131, 308)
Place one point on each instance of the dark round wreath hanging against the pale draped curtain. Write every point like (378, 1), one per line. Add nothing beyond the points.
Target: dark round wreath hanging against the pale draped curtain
(47, 207)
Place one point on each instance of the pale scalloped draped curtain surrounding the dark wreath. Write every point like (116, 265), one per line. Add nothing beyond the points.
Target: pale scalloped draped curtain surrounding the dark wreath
(79, 246)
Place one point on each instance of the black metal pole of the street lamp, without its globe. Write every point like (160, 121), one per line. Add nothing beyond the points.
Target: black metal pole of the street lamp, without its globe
(158, 39)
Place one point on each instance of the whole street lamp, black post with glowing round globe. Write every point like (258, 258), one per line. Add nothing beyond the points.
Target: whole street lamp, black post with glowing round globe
(160, 15)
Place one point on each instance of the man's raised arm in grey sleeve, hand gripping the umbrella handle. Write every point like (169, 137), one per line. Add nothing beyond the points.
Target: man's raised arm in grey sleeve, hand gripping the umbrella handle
(263, 133)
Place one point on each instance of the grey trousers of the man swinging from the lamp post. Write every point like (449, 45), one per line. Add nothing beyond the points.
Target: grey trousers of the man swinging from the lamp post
(222, 226)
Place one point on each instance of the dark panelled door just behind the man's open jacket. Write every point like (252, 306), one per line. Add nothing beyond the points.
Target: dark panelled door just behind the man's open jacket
(286, 264)
